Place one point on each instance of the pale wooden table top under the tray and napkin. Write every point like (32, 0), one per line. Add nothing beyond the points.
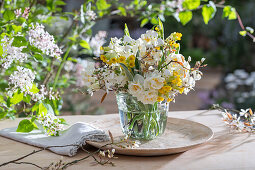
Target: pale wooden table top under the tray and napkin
(227, 150)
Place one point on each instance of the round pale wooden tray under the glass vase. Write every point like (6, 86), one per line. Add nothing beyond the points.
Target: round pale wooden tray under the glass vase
(180, 135)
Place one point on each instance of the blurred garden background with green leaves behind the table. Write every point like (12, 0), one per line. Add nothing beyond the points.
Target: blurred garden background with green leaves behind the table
(228, 79)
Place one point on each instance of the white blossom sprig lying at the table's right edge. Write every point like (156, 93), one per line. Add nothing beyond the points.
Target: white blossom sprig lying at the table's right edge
(243, 120)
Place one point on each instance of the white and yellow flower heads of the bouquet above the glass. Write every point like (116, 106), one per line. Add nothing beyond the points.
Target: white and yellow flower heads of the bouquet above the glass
(149, 68)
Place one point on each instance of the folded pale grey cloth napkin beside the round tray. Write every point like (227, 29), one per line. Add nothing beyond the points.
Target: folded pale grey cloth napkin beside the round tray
(77, 134)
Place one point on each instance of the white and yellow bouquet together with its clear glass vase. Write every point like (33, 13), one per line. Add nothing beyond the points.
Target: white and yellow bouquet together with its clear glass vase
(148, 71)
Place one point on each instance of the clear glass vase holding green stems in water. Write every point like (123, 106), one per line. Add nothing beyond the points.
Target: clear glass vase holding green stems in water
(141, 121)
